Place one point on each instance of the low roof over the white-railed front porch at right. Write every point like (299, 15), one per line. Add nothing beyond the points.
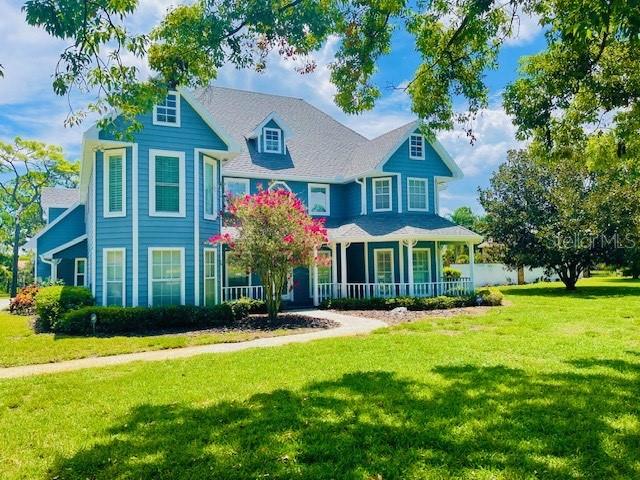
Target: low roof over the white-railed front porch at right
(398, 226)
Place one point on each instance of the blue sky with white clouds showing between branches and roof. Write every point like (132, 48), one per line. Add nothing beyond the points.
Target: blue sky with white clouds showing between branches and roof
(29, 108)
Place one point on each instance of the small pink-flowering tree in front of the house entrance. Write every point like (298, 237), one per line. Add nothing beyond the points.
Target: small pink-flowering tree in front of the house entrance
(273, 234)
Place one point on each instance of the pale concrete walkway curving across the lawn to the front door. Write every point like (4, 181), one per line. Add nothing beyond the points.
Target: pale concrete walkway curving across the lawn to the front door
(349, 325)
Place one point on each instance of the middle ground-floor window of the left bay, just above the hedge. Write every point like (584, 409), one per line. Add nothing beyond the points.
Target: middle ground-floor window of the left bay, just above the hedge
(166, 276)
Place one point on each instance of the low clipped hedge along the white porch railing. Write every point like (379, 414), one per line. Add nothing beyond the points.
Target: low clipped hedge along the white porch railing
(410, 303)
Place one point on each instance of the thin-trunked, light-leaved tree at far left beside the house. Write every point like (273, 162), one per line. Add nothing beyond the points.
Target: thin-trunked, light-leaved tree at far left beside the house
(26, 167)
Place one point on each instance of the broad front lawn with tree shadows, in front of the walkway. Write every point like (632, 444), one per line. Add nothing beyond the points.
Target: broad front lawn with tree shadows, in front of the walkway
(548, 387)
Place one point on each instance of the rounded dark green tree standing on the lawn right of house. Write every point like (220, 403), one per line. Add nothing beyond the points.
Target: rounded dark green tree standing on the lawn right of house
(556, 209)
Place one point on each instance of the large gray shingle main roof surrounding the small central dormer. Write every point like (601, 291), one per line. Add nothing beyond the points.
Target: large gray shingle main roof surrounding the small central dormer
(319, 146)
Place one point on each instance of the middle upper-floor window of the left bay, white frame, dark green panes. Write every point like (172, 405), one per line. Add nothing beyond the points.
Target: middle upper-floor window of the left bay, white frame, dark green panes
(166, 184)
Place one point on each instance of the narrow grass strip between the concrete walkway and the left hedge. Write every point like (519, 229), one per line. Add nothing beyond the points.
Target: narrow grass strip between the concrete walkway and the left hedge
(19, 345)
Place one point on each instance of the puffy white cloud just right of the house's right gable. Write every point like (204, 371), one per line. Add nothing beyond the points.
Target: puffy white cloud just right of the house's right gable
(495, 135)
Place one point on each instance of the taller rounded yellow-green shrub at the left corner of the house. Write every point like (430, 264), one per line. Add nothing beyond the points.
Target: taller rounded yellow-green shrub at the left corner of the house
(53, 302)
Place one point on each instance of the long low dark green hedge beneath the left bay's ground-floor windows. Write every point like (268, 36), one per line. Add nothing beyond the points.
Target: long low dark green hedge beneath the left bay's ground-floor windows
(111, 320)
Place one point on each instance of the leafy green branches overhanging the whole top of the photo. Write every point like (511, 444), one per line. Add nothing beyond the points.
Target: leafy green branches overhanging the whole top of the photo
(589, 67)
